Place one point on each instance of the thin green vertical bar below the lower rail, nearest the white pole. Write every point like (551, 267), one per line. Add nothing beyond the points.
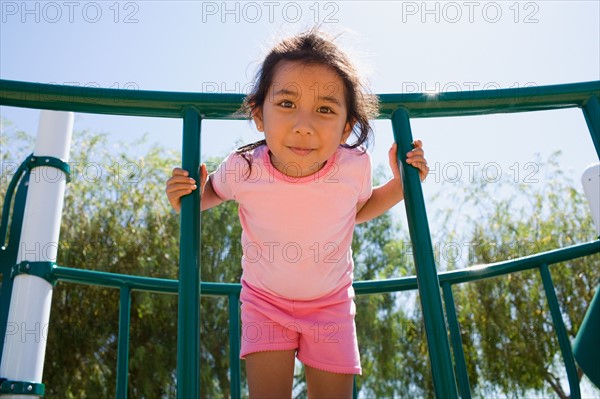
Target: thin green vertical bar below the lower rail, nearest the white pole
(123, 346)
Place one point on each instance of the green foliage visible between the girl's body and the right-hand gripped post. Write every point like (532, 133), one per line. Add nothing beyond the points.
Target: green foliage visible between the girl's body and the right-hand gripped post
(391, 336)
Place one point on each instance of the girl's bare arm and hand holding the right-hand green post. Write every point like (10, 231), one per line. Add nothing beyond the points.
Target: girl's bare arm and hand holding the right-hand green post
(386, 196)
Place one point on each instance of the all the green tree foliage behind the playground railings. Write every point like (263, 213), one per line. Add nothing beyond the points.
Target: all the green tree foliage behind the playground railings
(116, 218)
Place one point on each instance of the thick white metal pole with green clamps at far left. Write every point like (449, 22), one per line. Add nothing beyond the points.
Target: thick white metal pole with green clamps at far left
(29, 313)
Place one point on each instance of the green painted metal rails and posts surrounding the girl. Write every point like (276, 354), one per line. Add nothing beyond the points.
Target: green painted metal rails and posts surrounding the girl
(399, 107)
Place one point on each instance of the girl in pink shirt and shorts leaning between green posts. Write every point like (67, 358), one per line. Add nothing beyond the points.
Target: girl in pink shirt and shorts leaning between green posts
(300, 193)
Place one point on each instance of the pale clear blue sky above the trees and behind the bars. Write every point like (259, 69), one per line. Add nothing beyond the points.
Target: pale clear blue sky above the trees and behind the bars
(402, 46)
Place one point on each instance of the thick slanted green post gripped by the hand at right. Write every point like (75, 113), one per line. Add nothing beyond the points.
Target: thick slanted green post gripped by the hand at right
(427, 278)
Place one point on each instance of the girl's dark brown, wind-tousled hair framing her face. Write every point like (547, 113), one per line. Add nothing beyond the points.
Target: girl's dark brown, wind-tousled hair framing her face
(315, 47)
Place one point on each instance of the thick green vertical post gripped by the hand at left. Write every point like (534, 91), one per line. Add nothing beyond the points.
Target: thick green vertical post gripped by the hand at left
(188, 323)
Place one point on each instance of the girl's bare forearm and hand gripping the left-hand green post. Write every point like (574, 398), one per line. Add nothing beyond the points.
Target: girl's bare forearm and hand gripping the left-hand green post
(181, 184)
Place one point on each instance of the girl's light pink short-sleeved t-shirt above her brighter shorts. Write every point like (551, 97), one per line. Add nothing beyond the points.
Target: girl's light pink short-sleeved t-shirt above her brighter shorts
(297, 232)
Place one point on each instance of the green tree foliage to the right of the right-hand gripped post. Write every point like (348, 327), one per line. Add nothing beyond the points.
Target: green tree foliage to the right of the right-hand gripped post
(509, 340)
